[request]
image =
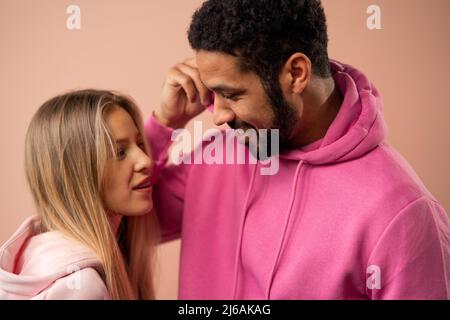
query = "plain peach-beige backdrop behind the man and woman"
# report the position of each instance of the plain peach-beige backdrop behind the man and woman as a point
(129, 45)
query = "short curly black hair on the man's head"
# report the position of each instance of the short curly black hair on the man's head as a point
(263, 34)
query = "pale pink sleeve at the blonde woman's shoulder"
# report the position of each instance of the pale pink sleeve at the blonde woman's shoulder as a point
(85, 284)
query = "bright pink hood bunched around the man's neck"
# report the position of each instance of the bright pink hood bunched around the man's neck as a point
(359, 125)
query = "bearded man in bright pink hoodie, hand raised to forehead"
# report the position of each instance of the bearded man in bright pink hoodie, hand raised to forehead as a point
(345, 216)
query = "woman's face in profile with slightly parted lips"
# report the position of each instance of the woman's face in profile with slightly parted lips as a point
(127, 186)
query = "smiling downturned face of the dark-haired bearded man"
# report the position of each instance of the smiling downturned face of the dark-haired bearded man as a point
(240, 99)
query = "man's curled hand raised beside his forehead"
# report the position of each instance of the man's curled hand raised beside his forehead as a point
(183, 96)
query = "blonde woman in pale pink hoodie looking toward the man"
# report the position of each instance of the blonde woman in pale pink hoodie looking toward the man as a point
(88, 168)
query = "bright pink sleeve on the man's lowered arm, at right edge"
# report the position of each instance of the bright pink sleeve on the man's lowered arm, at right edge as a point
(411, 259)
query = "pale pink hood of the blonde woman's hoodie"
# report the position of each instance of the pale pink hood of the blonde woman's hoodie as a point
(31, 261)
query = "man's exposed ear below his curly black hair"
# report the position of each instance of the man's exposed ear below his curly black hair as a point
(296, 73)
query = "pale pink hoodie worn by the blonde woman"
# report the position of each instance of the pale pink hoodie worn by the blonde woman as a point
(47, 265)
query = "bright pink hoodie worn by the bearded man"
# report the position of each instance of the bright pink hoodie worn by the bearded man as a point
(345, 217)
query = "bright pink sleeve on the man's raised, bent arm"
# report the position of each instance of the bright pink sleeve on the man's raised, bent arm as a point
(168, 192)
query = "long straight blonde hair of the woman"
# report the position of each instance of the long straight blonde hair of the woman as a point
(67, 146)
